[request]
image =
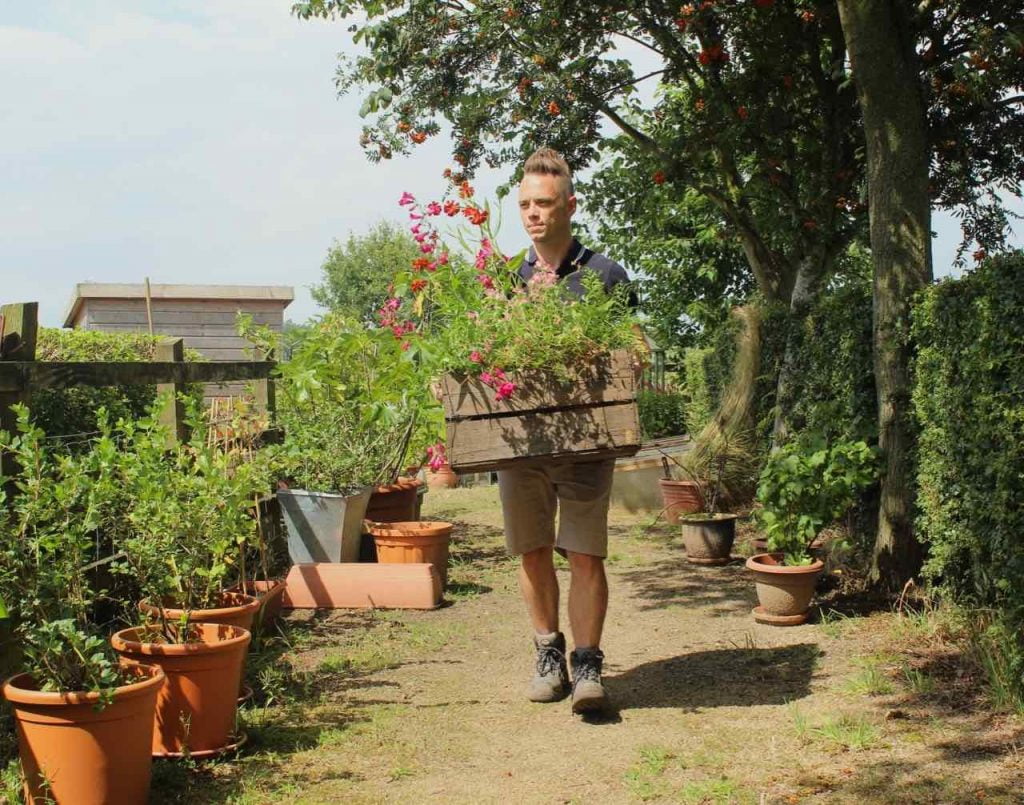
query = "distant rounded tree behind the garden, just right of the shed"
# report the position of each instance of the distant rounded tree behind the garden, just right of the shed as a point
(357, 274)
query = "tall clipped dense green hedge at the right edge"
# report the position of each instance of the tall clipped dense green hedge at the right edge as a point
(969, 400)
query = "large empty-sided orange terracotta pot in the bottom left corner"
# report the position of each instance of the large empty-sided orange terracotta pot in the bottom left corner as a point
(71, 752)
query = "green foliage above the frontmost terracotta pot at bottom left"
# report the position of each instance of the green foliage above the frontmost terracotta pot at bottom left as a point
(50, 514)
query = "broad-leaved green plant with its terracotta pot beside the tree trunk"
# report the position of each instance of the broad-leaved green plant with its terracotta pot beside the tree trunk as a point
(804, 487)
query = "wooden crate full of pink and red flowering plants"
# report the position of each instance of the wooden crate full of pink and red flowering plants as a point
(563, 365)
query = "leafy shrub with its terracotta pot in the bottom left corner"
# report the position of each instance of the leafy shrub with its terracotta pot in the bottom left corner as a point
(84, 722)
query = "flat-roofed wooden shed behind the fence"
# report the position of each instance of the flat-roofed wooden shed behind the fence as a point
(203, 315)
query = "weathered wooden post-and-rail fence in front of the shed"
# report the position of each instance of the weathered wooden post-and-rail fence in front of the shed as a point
(21, 373)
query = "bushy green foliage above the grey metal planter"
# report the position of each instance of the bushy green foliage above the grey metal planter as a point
(356, 408)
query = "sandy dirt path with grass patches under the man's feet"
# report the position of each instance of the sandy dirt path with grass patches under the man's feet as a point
(411, 707)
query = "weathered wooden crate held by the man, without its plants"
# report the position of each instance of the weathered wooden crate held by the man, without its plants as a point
(592, 416)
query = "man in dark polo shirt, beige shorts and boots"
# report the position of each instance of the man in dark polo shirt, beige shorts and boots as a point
(580, 491)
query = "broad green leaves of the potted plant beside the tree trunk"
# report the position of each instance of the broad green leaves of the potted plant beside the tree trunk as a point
(806, 486)
